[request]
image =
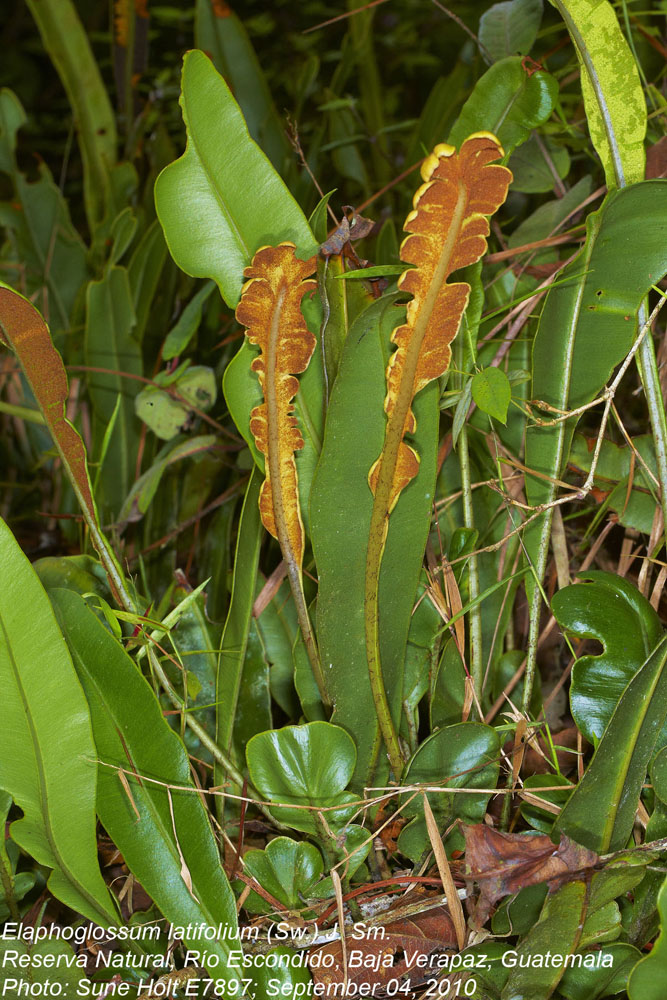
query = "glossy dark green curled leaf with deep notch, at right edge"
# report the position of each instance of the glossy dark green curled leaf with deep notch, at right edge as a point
(611, 610)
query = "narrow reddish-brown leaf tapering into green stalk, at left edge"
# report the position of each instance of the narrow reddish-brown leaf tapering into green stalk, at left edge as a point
(24, 331)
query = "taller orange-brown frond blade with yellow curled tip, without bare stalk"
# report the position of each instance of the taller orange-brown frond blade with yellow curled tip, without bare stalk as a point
(448, 229)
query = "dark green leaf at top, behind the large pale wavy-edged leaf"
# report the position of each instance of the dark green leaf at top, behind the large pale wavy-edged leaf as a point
(221, 34)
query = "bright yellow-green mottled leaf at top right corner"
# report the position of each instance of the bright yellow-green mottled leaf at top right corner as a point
(613, 94)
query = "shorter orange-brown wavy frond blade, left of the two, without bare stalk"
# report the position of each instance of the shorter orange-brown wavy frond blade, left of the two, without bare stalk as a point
(270, 309)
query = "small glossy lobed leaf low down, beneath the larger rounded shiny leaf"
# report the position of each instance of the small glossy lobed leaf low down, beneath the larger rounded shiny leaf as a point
(287, 869)
